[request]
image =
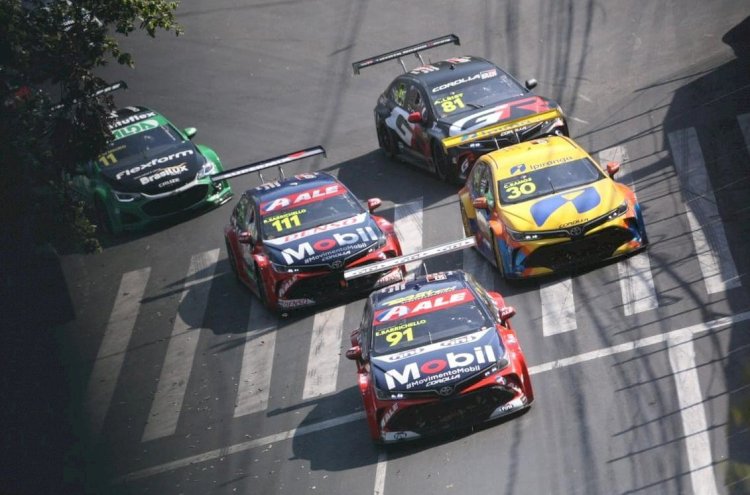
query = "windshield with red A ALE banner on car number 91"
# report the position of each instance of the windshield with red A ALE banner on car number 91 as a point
(426, 317)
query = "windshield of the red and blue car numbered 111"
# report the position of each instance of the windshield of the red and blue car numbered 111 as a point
(300, 215)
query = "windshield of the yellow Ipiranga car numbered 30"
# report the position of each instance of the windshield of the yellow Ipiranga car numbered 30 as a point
(547, 180)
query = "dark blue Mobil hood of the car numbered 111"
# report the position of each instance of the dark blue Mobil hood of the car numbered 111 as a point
(331, 245)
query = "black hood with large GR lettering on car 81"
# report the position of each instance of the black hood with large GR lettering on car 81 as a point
(496, 113)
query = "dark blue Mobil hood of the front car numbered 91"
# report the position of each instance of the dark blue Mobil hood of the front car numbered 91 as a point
(439, 366)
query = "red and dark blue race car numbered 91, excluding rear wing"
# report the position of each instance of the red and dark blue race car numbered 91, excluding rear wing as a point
(437, 353)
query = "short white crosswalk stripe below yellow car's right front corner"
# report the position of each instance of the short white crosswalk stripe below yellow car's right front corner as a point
(637, 284)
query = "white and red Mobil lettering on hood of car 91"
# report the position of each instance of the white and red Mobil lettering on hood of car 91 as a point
(451, 363)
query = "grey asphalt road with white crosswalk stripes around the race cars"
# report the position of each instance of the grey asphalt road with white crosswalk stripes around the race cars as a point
(640, 367)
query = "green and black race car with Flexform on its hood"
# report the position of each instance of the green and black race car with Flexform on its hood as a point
(151, 170)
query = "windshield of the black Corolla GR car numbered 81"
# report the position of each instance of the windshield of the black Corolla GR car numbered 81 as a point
(489, 87)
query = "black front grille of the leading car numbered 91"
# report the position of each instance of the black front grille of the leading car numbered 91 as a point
(445, 414)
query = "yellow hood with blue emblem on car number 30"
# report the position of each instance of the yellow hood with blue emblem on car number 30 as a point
(564, 209)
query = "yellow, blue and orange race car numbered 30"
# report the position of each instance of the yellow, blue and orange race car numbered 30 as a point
(546, 205)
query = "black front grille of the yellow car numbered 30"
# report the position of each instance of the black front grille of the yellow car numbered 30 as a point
(586, 250)
